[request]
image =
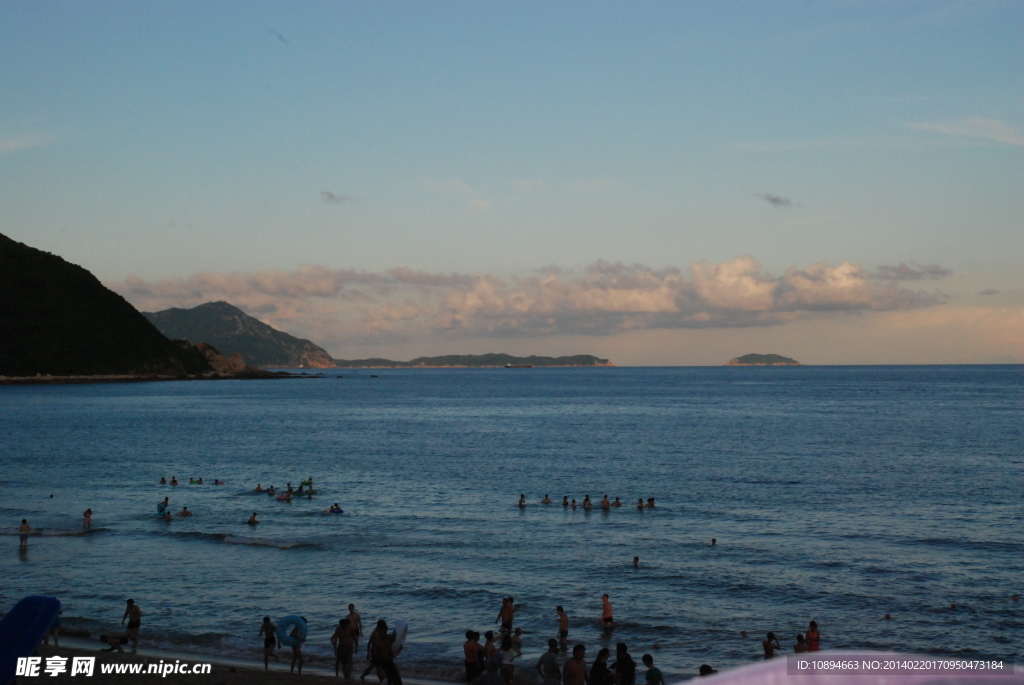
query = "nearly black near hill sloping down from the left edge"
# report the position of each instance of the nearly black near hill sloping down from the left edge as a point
(57, 319)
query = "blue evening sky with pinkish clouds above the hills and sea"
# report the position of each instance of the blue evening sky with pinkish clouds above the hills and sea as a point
(652, 183)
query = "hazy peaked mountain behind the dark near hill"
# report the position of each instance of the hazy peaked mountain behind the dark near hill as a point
(231, 330)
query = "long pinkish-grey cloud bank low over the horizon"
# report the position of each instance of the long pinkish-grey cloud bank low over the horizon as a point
(338, 308)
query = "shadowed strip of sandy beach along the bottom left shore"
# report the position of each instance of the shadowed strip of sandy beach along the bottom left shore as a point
(223, 671)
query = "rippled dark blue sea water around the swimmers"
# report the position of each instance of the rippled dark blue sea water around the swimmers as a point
(836, 494)
